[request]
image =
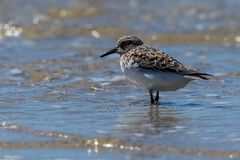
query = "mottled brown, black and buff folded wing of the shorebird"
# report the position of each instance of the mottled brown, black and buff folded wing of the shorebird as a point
(149, 58)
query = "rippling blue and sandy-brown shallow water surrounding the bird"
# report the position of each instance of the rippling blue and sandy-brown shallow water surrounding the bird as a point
(59, 100)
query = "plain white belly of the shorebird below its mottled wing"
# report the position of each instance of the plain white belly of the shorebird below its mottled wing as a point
(157, 81)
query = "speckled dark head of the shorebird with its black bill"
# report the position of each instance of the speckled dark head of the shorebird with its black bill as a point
(124, 44)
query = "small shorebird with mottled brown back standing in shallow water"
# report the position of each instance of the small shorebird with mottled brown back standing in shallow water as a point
(151, 68)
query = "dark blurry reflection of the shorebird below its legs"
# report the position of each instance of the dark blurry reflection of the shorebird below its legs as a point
(152, 122)
